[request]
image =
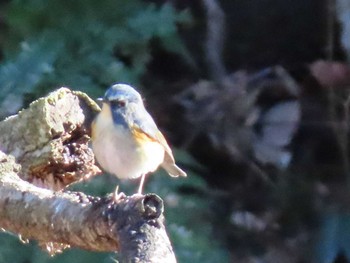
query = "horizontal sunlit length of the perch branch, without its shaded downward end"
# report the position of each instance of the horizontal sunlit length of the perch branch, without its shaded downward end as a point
(47, 216)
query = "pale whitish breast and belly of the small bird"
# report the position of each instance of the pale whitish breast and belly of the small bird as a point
(123, 153)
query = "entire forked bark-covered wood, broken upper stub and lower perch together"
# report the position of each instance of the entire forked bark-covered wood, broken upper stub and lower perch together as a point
(46, 146)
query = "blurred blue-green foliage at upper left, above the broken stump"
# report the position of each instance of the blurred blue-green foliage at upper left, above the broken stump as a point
(84, 45)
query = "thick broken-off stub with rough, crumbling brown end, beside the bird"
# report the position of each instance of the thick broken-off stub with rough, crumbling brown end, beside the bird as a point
(50, 139)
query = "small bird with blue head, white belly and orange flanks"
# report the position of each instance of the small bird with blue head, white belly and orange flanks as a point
(125, 139)
